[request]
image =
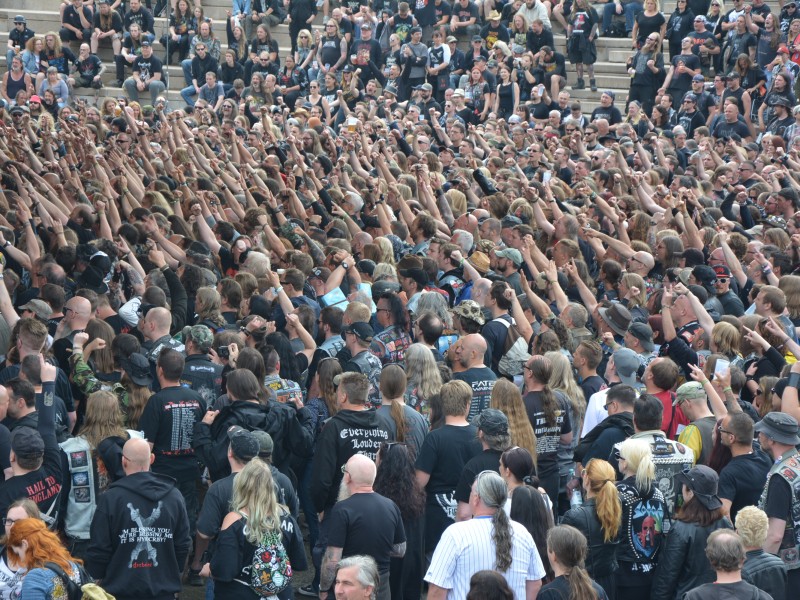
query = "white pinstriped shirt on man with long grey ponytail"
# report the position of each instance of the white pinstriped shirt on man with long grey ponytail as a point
(467, 547)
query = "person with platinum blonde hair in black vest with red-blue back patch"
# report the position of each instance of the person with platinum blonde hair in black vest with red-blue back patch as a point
(644, 511)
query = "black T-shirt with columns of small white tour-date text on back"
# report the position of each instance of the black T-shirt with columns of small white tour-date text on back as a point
(168, 423)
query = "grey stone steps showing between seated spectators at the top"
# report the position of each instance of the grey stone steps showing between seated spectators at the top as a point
(610, 69)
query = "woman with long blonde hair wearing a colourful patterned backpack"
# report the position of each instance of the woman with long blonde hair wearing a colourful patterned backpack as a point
(256, 518)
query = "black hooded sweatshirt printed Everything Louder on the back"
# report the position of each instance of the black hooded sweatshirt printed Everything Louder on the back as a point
(346, 433)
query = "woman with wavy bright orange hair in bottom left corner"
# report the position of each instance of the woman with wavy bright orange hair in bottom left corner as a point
(31, 547)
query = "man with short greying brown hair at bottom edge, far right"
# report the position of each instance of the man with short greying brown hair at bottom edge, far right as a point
(725, 552)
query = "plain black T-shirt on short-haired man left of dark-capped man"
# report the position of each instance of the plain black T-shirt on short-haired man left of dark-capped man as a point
(444, 453)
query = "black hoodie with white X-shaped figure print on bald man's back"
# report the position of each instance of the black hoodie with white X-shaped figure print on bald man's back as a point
(140, 538)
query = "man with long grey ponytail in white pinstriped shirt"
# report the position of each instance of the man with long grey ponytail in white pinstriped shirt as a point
(490, 540)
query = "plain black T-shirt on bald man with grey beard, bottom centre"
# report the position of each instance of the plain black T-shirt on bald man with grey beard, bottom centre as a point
(366, 524)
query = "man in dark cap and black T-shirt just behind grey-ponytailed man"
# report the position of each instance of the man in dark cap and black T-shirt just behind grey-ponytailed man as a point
(494, 436)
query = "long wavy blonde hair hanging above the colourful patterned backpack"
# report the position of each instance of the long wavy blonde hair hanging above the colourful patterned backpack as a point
(254, 495)
